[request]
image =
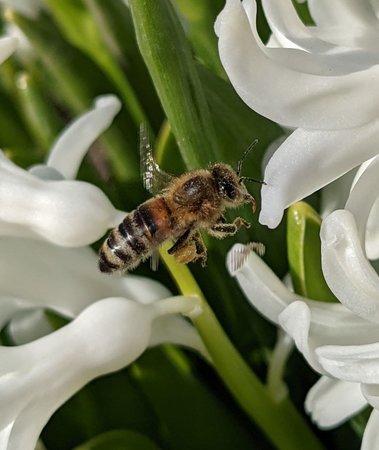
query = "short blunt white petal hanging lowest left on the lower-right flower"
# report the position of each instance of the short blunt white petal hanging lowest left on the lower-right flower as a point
(331, 402)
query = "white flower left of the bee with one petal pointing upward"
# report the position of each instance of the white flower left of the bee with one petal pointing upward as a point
(39, 203)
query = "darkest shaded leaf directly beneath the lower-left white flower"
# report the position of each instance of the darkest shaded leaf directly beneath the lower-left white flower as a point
(107, 403)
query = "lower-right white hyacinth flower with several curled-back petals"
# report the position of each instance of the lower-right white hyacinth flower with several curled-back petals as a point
(339, 340)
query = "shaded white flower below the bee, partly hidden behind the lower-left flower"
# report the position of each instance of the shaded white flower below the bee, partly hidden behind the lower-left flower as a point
(67, 280)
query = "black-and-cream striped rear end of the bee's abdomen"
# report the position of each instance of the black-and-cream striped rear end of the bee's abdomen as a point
(126, 245)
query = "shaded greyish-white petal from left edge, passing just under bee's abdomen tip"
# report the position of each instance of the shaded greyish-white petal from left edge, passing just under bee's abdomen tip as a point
(66, 280)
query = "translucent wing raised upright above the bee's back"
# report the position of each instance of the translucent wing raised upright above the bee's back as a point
(154, 178)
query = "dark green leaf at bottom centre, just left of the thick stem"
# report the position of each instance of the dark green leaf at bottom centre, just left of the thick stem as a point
(193, 415)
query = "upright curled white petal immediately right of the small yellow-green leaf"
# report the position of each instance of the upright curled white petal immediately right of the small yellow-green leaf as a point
(348, 273)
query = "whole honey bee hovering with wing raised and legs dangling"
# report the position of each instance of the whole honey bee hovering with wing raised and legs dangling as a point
(184, 205)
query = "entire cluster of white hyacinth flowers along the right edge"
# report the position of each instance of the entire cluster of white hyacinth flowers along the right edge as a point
(321, 81)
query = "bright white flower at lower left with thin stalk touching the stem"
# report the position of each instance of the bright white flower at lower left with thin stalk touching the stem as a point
(36, 378)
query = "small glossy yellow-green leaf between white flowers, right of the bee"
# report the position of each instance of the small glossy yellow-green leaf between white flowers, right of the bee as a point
(304, 253)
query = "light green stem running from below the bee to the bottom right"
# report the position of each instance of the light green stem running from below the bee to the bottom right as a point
(280, 421)
